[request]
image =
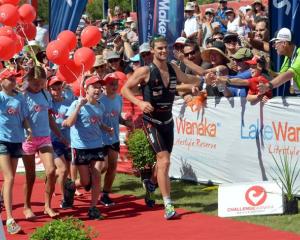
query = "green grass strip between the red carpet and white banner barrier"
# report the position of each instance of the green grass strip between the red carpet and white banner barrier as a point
(203, 199)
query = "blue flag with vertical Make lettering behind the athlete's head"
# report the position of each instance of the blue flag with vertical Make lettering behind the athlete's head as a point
(164, 17)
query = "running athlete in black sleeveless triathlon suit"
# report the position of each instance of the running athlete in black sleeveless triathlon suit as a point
(158, 82)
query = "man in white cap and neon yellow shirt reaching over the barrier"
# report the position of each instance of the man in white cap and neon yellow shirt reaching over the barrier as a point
(289, 76)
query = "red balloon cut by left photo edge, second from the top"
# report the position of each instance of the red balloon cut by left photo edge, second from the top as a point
(9, 15)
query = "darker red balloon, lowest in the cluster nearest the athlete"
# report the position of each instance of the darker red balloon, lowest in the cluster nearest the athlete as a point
(69, 72)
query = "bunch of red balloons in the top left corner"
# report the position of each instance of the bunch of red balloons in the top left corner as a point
(17, 27)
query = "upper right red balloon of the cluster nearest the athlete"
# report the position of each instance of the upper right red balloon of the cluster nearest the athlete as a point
(90, 36)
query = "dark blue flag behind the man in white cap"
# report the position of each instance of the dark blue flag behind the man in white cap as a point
(283, 14)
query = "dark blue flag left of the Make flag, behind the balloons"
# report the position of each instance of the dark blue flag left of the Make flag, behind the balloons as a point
(64, 15)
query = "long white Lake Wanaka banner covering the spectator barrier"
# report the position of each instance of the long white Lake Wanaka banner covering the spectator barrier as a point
(231, 140)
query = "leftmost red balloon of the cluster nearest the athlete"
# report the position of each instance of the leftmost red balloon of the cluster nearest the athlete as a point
(57, 52)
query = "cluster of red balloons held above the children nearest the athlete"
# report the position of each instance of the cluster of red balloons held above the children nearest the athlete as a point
(58, 52)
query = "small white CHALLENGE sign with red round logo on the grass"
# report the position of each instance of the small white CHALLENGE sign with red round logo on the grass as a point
(243, 199)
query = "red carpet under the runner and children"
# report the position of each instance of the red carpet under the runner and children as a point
(131, 219)
